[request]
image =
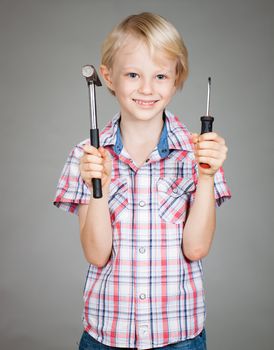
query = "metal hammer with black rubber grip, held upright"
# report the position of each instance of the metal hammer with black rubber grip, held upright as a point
(89, 72)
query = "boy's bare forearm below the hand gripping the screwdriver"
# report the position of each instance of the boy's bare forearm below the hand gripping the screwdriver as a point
(200, 225)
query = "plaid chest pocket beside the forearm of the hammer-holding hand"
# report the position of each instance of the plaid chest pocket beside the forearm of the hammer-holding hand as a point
(118, 198)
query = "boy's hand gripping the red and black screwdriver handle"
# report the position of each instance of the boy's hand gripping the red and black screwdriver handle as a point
(209, 148)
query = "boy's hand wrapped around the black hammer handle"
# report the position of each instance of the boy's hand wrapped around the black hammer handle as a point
(95, 163)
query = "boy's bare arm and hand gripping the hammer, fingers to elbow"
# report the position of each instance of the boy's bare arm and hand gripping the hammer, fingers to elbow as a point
(94, 218)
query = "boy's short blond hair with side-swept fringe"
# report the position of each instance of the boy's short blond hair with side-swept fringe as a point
(156, 32)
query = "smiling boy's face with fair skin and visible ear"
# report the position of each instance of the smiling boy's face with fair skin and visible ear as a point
(142, 85)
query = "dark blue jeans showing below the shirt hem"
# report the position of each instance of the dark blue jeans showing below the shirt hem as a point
(198, 343)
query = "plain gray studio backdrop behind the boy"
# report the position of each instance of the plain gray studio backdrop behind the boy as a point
(44, 113)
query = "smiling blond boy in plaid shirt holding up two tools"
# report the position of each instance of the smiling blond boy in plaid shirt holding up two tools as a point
(146, 237)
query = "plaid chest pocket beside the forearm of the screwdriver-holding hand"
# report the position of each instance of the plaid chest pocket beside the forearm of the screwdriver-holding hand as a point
(174, 195)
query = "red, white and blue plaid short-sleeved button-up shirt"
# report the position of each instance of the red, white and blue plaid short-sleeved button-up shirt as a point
(149, 294)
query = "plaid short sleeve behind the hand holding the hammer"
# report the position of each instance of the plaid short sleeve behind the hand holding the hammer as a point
(71, 189)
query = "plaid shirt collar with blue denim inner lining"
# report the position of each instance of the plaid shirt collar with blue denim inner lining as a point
(174, 135)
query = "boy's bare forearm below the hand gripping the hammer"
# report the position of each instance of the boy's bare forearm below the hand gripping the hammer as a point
(96, 231)
